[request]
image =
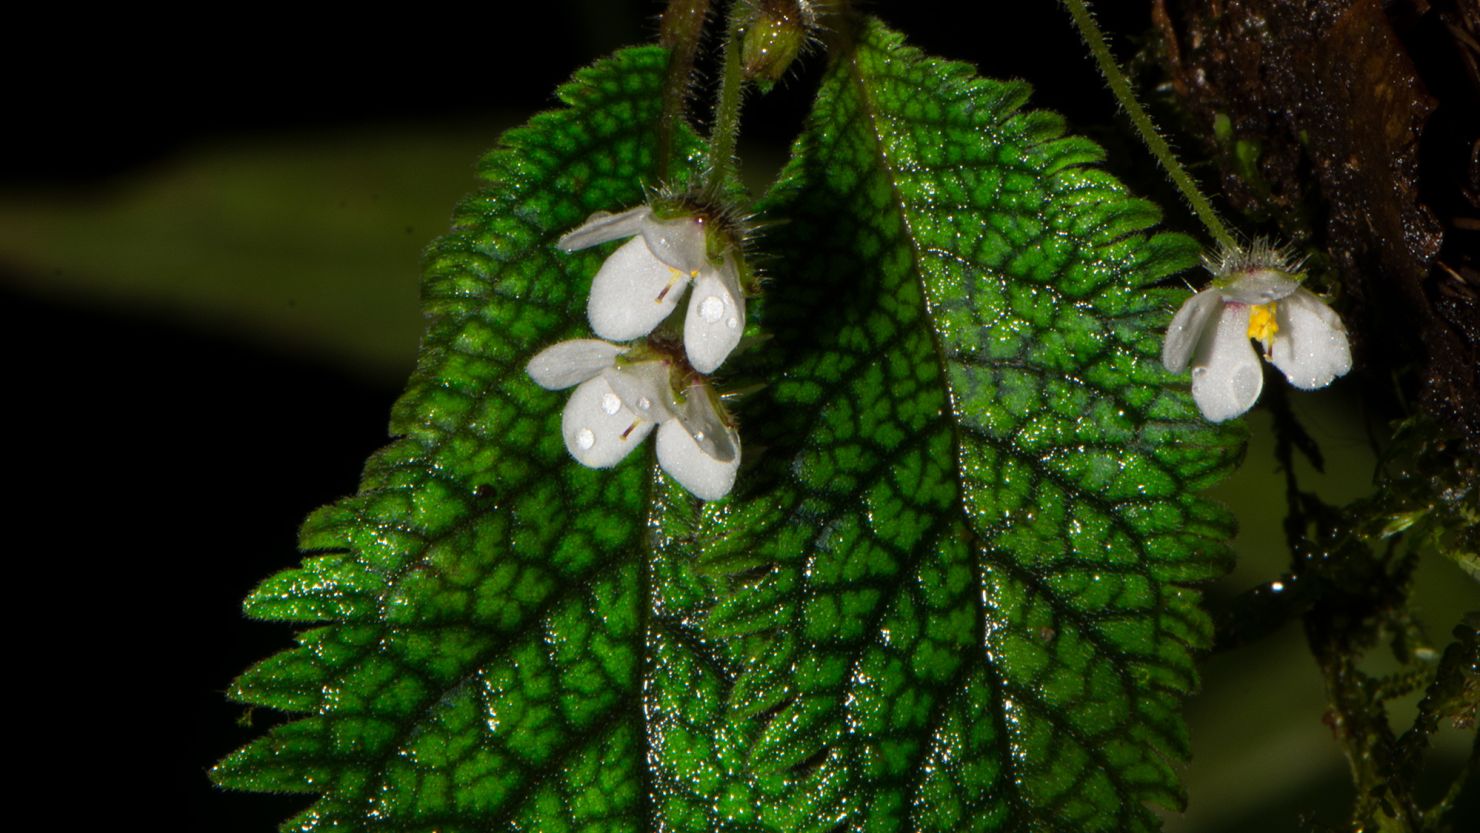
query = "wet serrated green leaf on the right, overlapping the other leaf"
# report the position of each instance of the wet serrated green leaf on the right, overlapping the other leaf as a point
(961, 572)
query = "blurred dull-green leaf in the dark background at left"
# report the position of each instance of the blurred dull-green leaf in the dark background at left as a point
(310, 242)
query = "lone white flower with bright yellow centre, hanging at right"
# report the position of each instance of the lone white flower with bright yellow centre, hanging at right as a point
(1300, 335)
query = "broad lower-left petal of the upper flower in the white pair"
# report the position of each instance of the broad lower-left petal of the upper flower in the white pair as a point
(633, 294)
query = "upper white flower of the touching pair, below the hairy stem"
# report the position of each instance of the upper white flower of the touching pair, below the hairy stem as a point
(640, 285)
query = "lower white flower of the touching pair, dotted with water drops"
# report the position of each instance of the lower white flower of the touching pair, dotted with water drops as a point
(616, 405)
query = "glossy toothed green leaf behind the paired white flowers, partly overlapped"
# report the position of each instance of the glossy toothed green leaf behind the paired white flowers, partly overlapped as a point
(508, 641)
